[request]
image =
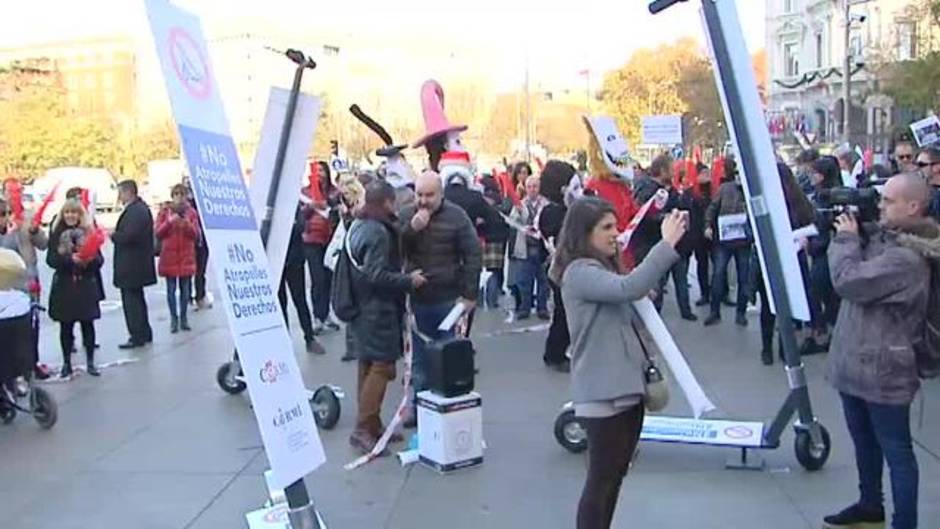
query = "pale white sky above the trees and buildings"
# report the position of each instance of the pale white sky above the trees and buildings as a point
(559, 37)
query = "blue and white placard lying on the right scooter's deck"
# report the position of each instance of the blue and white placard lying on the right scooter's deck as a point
(701, 431)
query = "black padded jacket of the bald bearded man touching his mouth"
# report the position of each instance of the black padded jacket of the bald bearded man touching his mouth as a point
(447, 251)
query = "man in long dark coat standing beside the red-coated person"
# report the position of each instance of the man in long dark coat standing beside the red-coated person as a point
(133, 263)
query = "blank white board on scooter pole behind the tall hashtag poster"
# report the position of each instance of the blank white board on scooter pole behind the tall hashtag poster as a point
(295, 161)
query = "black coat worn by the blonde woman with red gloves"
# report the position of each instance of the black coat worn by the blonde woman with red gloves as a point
(75, 290)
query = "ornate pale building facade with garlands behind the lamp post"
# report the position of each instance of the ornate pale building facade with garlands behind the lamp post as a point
(806, 47)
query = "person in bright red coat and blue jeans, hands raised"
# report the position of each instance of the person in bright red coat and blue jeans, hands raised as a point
(177, 229)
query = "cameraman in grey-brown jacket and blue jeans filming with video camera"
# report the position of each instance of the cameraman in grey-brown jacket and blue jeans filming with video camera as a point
(884, 288)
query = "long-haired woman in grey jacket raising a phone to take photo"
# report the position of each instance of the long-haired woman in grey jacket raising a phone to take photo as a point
(607, 378)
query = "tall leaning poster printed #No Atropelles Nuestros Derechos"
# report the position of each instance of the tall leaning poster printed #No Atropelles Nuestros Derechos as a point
(285, 420)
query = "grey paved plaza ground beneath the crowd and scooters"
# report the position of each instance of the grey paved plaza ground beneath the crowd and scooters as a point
(155, 444)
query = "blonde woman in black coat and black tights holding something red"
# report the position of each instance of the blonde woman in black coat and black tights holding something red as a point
(76, 290)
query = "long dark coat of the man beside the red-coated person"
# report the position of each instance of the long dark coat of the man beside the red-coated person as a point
(133, 247)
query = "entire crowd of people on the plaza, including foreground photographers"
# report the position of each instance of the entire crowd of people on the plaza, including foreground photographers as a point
(548, 243)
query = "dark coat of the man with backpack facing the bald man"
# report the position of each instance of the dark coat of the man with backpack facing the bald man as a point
(376, 333)
